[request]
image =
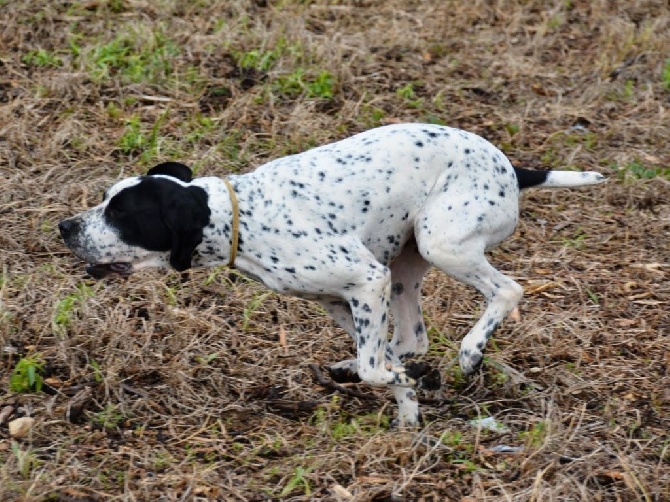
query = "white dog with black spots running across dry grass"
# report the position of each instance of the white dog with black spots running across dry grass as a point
(353, 225)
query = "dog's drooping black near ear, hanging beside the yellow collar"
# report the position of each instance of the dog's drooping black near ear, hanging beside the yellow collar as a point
(186, 214)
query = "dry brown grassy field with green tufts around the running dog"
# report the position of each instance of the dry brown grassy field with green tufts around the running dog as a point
(205, 385)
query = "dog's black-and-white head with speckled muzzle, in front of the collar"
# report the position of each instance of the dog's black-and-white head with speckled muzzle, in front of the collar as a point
(155, 220)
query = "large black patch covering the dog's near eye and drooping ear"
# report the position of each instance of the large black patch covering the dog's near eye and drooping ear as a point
(160, 215)
